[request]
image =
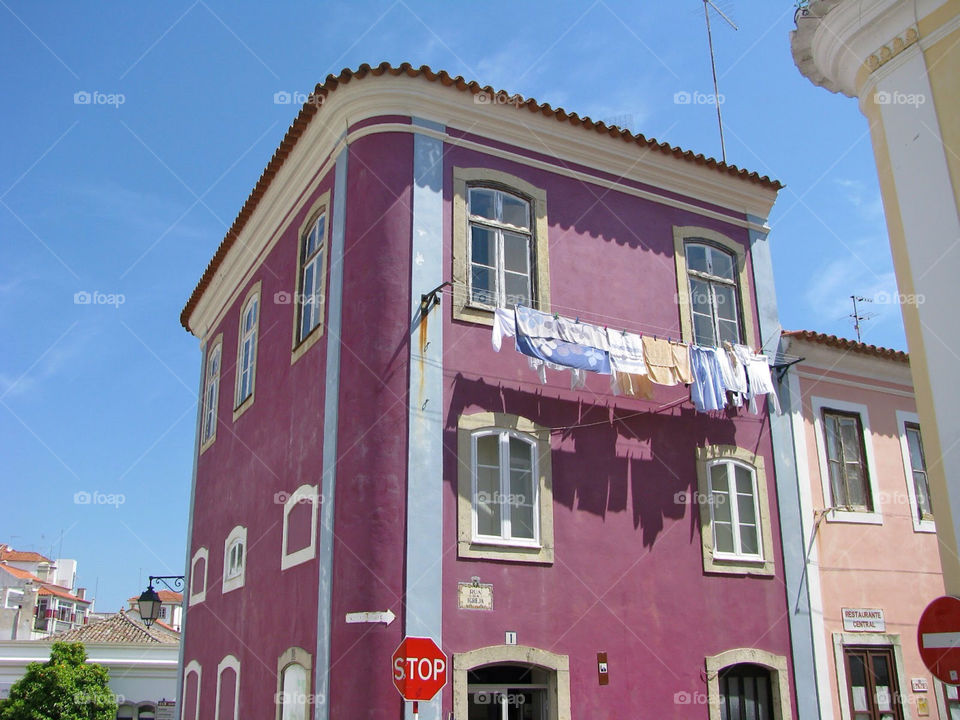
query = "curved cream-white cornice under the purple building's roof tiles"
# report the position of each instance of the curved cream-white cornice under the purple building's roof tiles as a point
(372, 96)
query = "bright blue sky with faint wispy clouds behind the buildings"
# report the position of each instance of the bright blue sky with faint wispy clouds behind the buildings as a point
(127, 197)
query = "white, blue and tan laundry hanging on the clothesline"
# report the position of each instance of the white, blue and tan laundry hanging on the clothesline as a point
(717, 377)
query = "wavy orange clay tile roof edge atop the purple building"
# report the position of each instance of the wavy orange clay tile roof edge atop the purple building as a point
(323, 90)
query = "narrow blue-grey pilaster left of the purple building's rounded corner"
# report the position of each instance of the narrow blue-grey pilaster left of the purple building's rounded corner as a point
(331, 418)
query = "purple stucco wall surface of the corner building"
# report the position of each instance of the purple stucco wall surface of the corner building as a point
(628, 576)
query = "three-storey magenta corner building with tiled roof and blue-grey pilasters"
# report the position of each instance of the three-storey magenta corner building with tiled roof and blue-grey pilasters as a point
(362, 448)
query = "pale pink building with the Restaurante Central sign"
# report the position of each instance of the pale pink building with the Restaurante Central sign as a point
(873, 564)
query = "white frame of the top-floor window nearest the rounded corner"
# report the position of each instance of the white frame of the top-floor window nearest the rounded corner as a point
(498, 226)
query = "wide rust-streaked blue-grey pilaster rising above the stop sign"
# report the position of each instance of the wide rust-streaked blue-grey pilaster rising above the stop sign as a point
(425, 450)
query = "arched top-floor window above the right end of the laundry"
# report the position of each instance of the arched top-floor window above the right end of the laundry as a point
(712, 274)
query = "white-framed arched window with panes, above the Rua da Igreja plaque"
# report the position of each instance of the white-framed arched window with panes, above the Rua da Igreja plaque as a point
(505, 488)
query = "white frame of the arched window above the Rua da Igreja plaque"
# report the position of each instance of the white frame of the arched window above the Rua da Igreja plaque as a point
(504, 435)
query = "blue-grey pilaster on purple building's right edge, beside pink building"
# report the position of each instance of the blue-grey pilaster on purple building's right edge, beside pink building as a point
(788, 488)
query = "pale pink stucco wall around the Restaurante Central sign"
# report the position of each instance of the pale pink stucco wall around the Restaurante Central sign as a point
(890, 566)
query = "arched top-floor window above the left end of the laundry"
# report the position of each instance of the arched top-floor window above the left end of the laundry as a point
(501, 241)
